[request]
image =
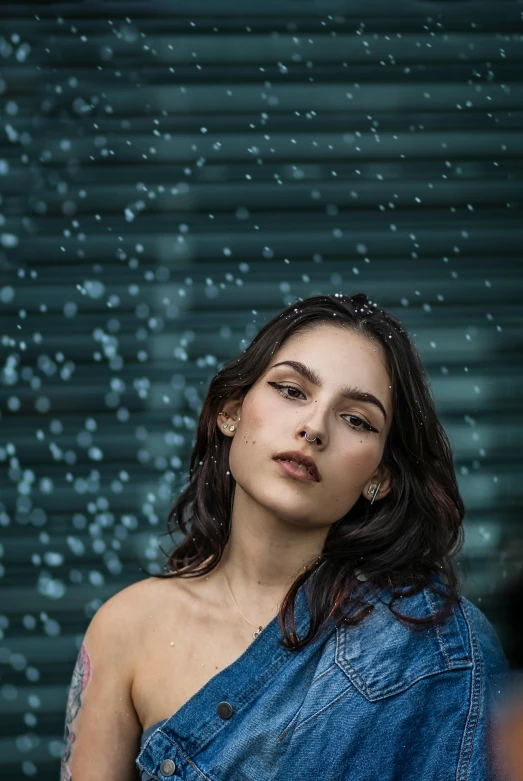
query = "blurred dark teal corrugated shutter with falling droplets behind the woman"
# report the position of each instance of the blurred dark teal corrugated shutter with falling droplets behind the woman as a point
(171, 176)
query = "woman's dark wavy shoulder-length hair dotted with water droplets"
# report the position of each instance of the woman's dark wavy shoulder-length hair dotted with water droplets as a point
(403, 543)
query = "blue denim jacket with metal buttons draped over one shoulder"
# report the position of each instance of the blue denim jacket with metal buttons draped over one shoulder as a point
(374, 702)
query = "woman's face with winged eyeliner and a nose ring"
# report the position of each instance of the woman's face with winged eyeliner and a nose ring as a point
(351, 433)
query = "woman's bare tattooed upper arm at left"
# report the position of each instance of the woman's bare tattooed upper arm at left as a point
(102, 730)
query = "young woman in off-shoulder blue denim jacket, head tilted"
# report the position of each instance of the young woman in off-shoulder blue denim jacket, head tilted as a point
(309, 624)
